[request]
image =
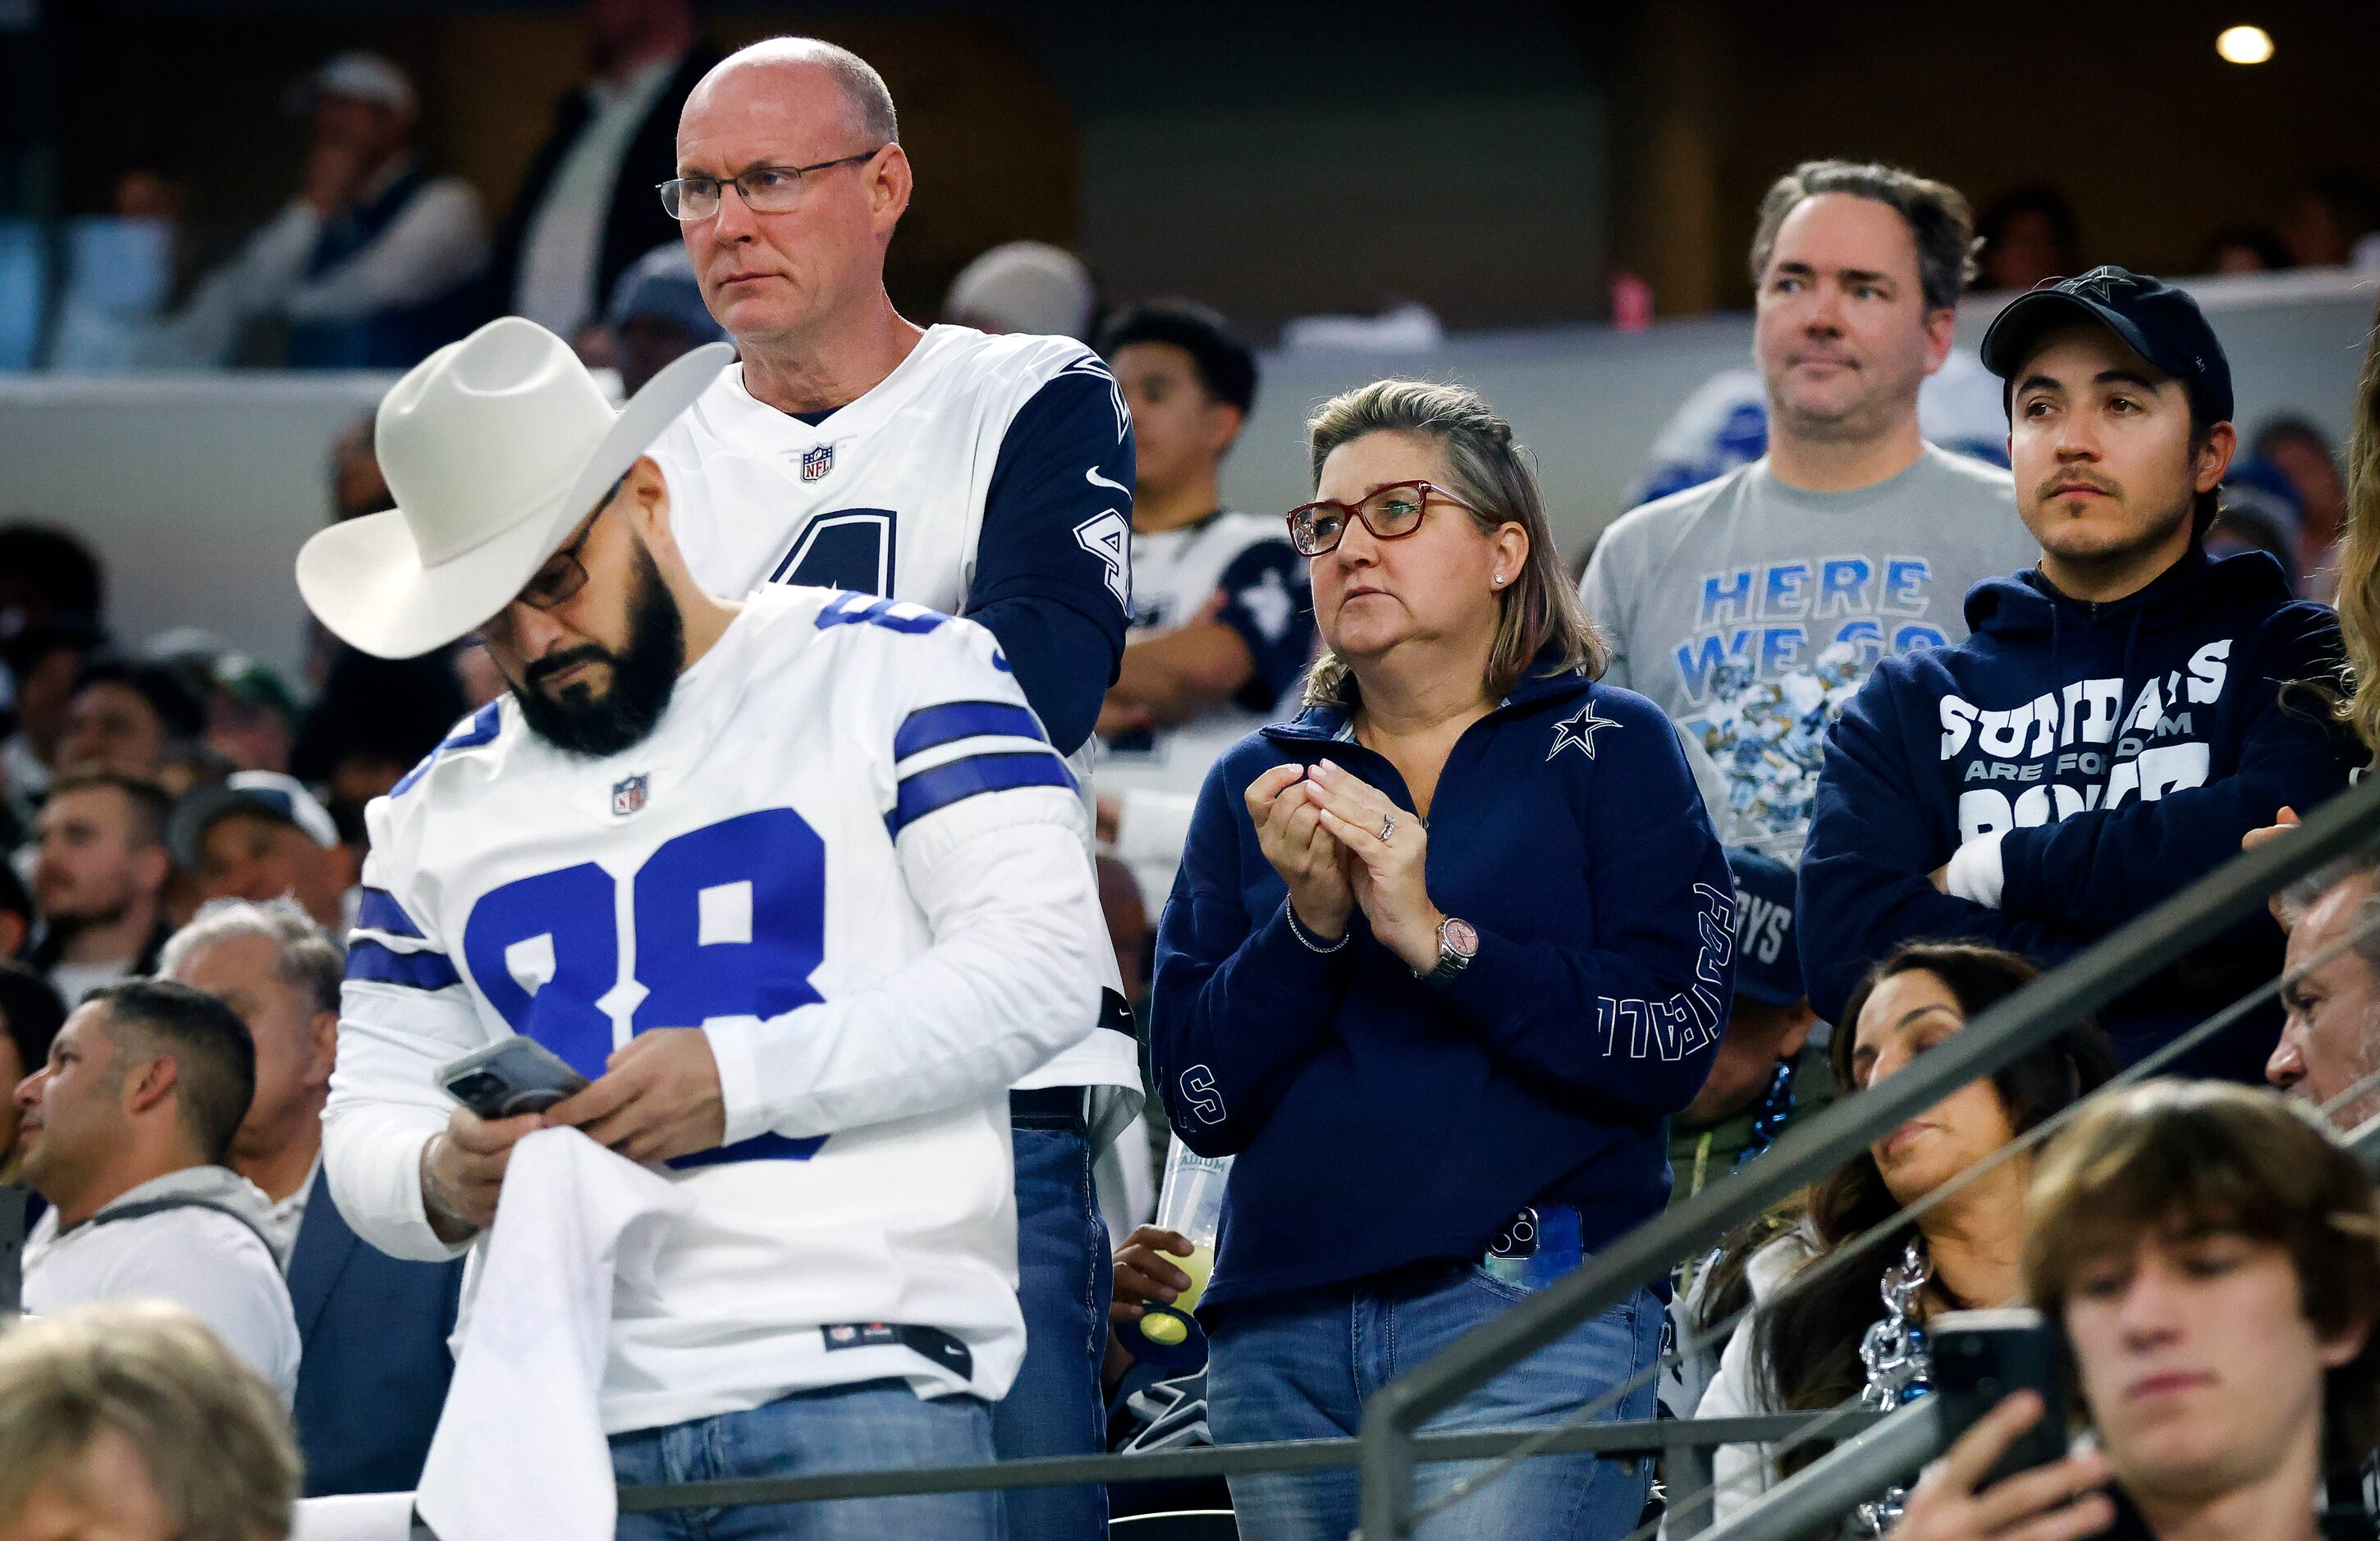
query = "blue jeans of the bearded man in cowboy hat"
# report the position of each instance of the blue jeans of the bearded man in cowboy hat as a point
(860, 1428)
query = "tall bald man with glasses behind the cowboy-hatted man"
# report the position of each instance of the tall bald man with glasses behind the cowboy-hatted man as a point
(982, 477)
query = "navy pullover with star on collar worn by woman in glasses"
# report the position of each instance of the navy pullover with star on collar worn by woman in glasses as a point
(1386, 1121)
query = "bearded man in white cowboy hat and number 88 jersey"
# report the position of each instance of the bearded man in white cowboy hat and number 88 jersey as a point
(796, 883)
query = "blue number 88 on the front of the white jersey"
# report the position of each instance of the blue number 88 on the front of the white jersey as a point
(720, 922)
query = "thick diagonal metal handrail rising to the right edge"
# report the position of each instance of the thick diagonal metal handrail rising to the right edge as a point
(1808, 1152)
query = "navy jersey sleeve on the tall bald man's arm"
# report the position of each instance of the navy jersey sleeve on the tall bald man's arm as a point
(1056, 558)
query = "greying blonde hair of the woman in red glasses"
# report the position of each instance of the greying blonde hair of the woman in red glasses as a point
(1489, 472)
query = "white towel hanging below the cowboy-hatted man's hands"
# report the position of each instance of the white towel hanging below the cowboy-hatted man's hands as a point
(520, 1449)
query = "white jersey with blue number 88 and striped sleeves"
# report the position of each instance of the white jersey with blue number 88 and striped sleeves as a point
(848, 855)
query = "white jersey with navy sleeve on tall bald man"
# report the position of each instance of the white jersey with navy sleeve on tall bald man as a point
(889, 496)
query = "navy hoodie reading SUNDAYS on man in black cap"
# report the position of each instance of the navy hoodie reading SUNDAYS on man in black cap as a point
(2117, 753)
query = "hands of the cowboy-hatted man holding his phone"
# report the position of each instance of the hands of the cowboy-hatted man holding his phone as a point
(656, 1100)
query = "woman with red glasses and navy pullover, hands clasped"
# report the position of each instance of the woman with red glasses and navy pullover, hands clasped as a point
(1441, 960)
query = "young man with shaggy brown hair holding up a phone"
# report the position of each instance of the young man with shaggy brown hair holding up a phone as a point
(2215, 1264)
